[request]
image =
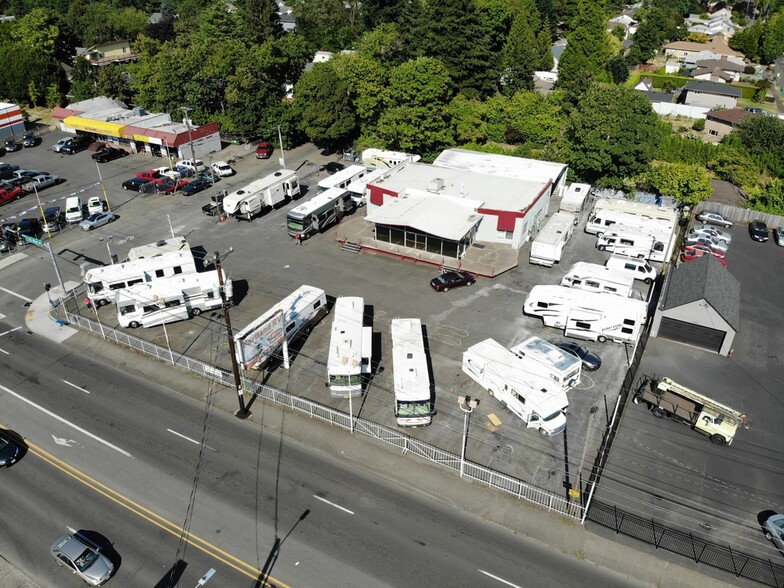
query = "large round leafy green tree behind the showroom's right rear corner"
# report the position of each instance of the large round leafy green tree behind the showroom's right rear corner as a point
(612, 133)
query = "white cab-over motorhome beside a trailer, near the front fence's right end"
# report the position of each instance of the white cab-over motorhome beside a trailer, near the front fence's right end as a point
(497, 370)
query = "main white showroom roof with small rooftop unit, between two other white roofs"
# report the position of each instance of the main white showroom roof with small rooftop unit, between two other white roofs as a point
(491, 191)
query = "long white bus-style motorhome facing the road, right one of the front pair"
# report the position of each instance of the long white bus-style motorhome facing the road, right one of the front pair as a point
(413, 389)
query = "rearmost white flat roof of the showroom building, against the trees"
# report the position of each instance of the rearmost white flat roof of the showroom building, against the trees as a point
(508, 166)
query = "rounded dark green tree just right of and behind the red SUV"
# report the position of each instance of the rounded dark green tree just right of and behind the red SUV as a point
(322, 100)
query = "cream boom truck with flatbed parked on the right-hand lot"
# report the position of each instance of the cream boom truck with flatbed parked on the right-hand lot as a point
(679, 403)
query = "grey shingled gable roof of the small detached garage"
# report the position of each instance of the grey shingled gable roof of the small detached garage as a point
(705, 279)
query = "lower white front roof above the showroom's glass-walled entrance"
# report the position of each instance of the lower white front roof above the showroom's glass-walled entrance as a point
(444, 216)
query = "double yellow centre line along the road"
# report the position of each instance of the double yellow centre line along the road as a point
(148, 515)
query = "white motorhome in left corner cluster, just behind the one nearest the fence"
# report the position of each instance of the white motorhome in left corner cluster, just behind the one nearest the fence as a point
(104, 282)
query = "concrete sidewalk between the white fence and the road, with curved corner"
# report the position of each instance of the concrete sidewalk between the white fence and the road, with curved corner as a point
(640, 563)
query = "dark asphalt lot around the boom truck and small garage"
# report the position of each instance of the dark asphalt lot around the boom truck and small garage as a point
(662, 469)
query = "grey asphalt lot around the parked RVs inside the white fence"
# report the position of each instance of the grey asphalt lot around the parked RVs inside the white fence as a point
(266, 265)
